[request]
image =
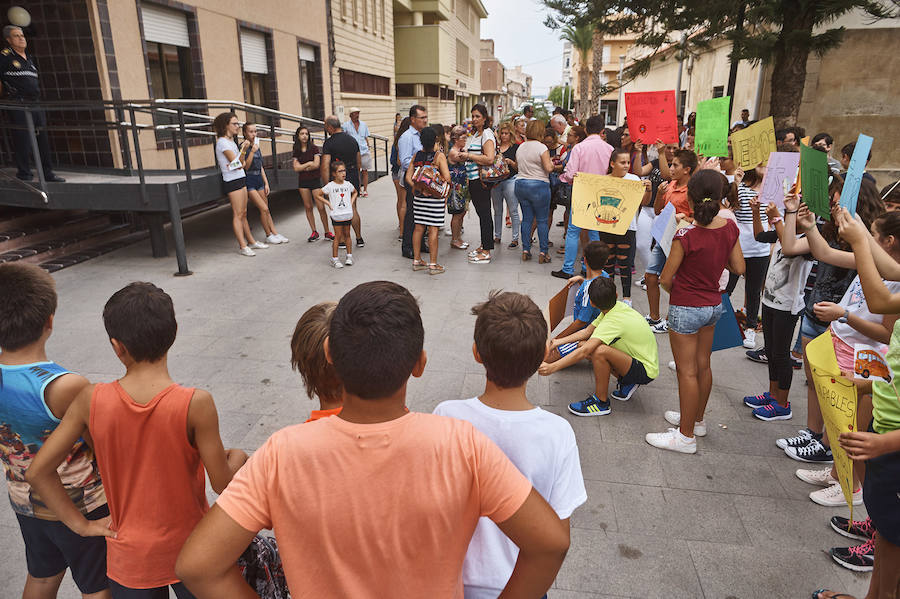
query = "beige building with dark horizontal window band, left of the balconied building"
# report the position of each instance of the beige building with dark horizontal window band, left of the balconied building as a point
(363, 68)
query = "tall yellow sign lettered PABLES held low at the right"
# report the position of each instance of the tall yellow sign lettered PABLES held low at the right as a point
(837, 399)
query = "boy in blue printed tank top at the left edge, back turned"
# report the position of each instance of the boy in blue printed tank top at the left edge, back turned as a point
(35, 394)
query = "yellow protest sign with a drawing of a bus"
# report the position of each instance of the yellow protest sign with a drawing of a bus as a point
(605, 203)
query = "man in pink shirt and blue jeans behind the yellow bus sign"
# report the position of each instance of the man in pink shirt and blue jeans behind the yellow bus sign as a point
(589, 156)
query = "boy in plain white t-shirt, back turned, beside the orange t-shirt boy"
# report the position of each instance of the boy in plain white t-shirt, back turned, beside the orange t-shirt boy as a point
(510, 338)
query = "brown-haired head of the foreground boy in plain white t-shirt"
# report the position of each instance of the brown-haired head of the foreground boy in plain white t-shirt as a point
(510, 337)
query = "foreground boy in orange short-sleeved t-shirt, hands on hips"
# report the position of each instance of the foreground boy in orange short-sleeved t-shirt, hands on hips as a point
(376, 501)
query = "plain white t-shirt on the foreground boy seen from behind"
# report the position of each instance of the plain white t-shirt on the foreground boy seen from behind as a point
(542, 446)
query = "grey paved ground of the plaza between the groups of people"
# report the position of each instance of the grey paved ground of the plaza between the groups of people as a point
(730, 522)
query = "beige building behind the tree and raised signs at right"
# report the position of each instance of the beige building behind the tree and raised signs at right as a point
(843, 95)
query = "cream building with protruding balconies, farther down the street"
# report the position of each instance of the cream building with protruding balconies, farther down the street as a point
(437, 56)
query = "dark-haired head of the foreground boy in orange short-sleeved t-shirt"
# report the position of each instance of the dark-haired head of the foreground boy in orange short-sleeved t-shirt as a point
(375, 339)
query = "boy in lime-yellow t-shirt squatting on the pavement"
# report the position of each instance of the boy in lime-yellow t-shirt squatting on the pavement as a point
(619, 342)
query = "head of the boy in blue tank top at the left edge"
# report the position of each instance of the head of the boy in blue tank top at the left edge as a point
(27, 302)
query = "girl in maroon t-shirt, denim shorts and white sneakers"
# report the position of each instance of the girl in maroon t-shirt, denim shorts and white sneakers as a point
(691, 276)
